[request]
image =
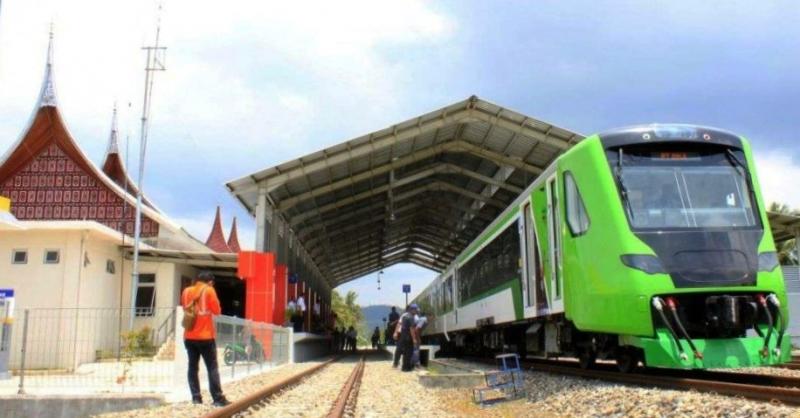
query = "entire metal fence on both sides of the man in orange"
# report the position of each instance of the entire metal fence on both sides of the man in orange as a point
(79, 350)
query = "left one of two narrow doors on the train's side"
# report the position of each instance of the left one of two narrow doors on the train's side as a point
(534, 297)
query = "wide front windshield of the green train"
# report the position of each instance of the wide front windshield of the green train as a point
(665, 188)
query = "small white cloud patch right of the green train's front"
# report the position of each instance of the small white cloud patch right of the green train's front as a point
(777, 174)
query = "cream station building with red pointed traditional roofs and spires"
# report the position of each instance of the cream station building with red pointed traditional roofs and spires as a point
(66, 228)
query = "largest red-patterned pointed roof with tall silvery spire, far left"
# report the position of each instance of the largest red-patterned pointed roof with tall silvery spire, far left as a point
(46, 162)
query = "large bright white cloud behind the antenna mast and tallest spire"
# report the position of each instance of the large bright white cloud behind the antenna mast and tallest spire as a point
(255, 69)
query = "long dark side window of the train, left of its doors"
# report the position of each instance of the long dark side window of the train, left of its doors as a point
(493, 266)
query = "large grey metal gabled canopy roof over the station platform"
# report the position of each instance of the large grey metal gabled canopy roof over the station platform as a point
(418, 191)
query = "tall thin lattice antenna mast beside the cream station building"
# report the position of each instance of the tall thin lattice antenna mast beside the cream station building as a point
(156, 58)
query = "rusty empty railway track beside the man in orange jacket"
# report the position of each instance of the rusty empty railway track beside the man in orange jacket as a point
(257, 403)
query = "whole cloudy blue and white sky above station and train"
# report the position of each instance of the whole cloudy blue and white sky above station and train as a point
(251, 84)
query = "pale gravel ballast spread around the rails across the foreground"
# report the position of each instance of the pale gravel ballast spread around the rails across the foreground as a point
(388, 392)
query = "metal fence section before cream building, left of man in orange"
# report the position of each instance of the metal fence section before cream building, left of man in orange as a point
(77, 348)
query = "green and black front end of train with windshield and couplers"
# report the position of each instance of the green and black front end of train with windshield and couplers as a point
(691, 195)
